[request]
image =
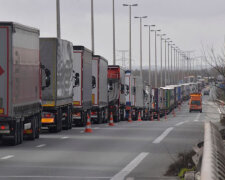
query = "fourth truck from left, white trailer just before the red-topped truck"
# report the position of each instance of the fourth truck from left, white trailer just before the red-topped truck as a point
(99, 111)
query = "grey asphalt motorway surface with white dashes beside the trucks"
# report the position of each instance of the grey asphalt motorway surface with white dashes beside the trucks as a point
(138, 150)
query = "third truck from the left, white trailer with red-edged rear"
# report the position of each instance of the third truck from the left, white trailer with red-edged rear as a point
(82, 86)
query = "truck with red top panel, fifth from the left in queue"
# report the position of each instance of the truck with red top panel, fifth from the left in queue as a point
(116, 92)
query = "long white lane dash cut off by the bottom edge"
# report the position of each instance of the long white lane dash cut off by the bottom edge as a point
(131, 166)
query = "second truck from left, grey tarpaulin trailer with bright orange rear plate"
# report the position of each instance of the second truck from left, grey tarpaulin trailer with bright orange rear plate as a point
(57, 59)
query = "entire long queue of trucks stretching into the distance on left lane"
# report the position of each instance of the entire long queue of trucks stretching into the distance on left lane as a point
(50, 83)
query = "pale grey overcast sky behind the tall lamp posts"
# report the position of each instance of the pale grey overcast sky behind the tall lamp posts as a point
(189, 23)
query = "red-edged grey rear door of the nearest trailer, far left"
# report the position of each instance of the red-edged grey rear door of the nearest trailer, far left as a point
(4, 74)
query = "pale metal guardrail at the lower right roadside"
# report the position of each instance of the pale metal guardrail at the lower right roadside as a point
(213, 162)
